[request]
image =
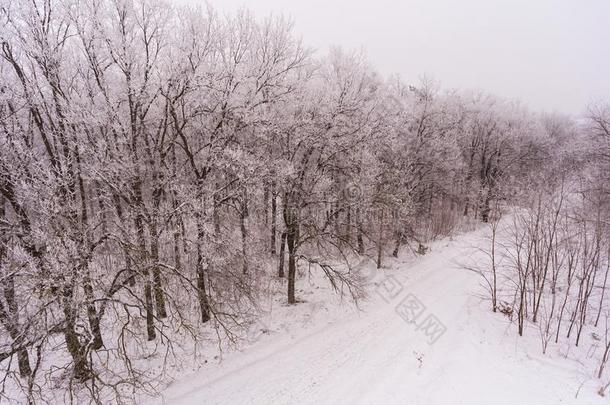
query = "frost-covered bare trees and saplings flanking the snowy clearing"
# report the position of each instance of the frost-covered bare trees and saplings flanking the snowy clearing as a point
(162, 166)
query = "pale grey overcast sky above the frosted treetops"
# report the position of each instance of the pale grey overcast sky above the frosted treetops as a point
(554, 55)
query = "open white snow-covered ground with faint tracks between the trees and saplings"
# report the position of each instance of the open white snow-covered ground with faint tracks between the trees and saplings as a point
(329, 353)
